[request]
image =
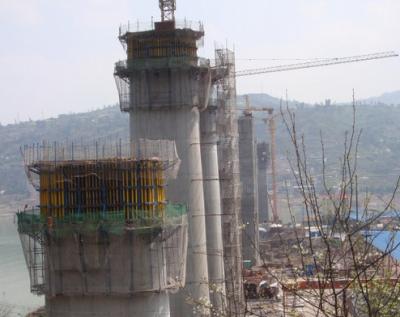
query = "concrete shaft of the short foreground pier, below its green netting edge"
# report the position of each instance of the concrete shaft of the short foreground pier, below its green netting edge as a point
(123, 275)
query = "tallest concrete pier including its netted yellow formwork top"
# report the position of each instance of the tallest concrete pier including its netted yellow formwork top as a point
(167, 87)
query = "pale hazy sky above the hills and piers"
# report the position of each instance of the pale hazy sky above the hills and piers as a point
(57, 56)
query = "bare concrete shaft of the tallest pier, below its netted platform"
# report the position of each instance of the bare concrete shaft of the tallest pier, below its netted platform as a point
(182, 126)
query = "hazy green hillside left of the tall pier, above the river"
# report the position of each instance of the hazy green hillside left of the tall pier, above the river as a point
(88, 126)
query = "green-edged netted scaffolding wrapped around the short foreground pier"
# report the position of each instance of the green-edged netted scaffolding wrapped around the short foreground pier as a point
(83, 246)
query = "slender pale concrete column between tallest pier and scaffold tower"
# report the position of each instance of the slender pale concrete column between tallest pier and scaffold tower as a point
(213, 210)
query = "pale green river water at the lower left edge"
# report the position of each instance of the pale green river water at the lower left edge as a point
(14, 278)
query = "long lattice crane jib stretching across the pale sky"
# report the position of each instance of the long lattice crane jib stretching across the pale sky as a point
(316, 63)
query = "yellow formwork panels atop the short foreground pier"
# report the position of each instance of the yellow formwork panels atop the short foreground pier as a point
(135, 187)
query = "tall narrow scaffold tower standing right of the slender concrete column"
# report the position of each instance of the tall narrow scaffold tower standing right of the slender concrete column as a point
(228, 156)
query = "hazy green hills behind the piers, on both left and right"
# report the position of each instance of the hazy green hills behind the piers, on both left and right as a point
(378, 155)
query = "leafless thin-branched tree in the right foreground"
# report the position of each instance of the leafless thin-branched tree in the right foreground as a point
(339, 272)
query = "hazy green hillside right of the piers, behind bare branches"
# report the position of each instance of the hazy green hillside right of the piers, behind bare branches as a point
(379, 149)
